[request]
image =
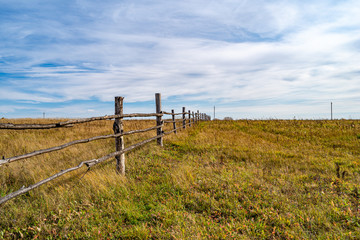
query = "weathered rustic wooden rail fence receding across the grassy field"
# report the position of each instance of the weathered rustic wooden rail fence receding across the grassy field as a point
(188, 119)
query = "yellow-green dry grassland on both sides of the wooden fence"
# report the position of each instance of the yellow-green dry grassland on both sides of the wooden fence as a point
(276, 179)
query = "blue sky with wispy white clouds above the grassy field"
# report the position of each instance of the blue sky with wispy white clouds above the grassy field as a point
(255, 59)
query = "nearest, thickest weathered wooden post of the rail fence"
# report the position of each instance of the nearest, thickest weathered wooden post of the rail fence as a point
(119, 141)
